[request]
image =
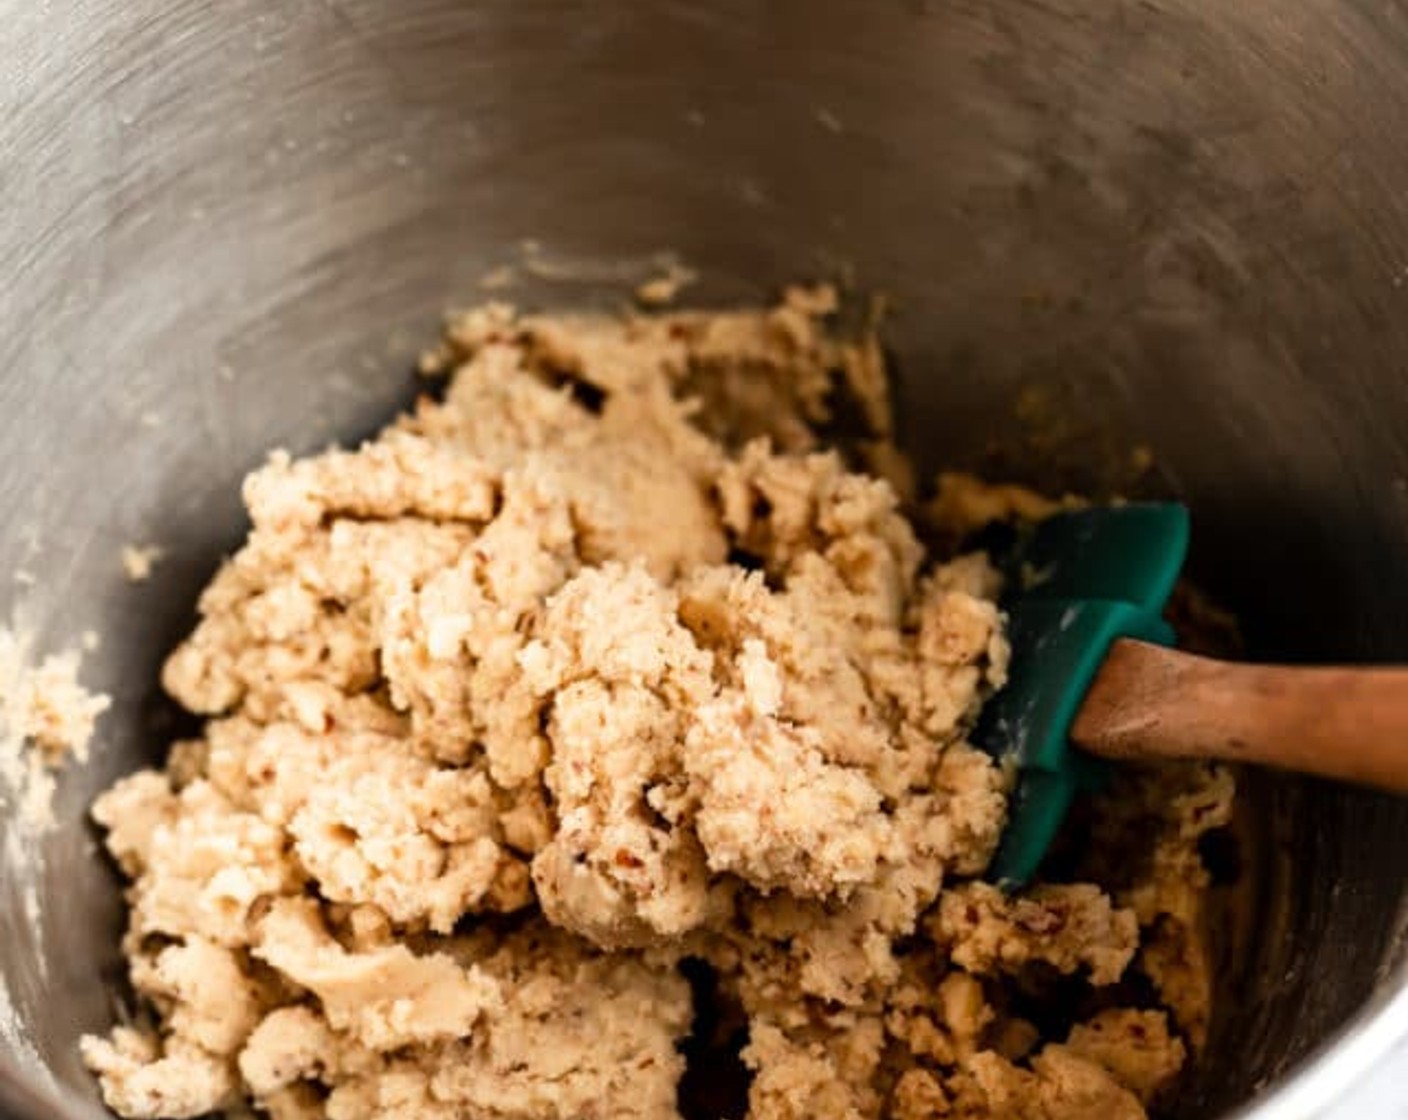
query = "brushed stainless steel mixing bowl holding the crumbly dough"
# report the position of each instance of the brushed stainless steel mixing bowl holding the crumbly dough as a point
(225, 228)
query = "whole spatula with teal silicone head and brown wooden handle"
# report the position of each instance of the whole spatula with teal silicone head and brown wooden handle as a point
(1093, 678)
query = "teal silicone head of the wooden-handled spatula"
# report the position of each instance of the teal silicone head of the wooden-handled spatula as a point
(1076, 584)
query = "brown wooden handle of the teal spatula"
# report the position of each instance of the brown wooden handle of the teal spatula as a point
(1347, 723)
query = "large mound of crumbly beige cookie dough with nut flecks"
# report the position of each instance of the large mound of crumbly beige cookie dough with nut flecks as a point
(601, 666)
